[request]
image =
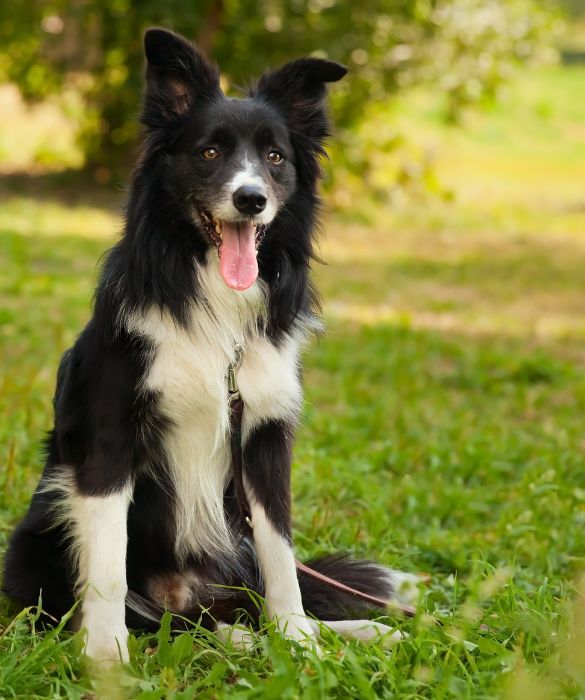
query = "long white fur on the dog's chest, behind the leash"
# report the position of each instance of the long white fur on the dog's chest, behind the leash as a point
(189, 373)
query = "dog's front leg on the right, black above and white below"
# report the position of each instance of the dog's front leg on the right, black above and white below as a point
(267, 459)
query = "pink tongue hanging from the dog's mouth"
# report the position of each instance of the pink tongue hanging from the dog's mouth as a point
(238, 263)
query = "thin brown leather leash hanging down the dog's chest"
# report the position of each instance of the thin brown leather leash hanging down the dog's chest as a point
(236, 413)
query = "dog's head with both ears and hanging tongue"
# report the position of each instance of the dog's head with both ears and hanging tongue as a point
(235, 163)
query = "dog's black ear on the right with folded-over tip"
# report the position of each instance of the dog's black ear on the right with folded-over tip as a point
(299, 89)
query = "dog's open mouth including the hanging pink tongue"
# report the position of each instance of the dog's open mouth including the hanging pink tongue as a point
(237, 244)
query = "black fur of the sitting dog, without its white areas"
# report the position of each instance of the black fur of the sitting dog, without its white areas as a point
(106, 430)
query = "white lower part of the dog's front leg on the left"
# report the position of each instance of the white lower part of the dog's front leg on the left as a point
(100, 540)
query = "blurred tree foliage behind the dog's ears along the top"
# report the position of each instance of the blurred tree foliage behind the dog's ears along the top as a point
(465, 47)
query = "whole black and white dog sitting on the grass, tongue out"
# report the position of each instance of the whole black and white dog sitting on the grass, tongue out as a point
(136, 509)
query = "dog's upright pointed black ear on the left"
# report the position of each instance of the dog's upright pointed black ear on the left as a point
(176, 76)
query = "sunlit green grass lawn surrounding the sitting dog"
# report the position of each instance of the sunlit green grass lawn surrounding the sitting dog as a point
(443, 427)
